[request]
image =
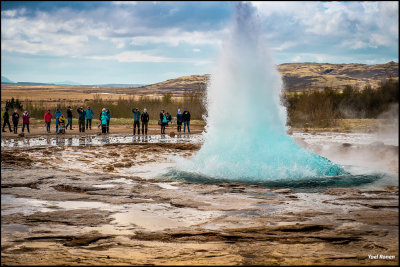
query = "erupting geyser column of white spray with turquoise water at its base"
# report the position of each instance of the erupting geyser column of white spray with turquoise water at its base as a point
(245, 137)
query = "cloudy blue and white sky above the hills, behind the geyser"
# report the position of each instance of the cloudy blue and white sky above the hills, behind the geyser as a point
(147, 42)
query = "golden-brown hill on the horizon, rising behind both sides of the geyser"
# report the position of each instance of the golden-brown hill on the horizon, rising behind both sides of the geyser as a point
(297, 77)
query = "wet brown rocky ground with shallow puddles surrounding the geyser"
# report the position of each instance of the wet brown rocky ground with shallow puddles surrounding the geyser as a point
(98, 202)
